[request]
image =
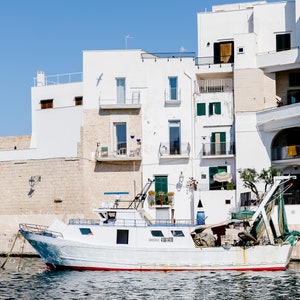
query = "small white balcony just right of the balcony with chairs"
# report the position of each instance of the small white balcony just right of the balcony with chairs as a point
(174, 150)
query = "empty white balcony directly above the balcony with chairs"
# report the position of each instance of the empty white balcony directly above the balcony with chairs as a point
(134, 102)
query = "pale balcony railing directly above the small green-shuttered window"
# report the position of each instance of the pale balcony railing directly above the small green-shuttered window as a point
(214, 86)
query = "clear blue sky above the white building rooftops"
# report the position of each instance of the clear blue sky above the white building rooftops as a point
(51, 35)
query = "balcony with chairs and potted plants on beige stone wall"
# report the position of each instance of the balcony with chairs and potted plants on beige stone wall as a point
(123, 154)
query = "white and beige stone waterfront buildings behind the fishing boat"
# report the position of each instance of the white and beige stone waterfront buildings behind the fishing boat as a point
(175, 118)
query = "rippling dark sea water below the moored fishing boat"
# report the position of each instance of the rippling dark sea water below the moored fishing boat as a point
(27, 278)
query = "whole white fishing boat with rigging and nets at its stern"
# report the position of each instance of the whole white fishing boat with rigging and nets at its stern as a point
(127, 239)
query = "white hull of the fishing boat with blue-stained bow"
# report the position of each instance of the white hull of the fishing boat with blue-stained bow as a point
(58, 253)
